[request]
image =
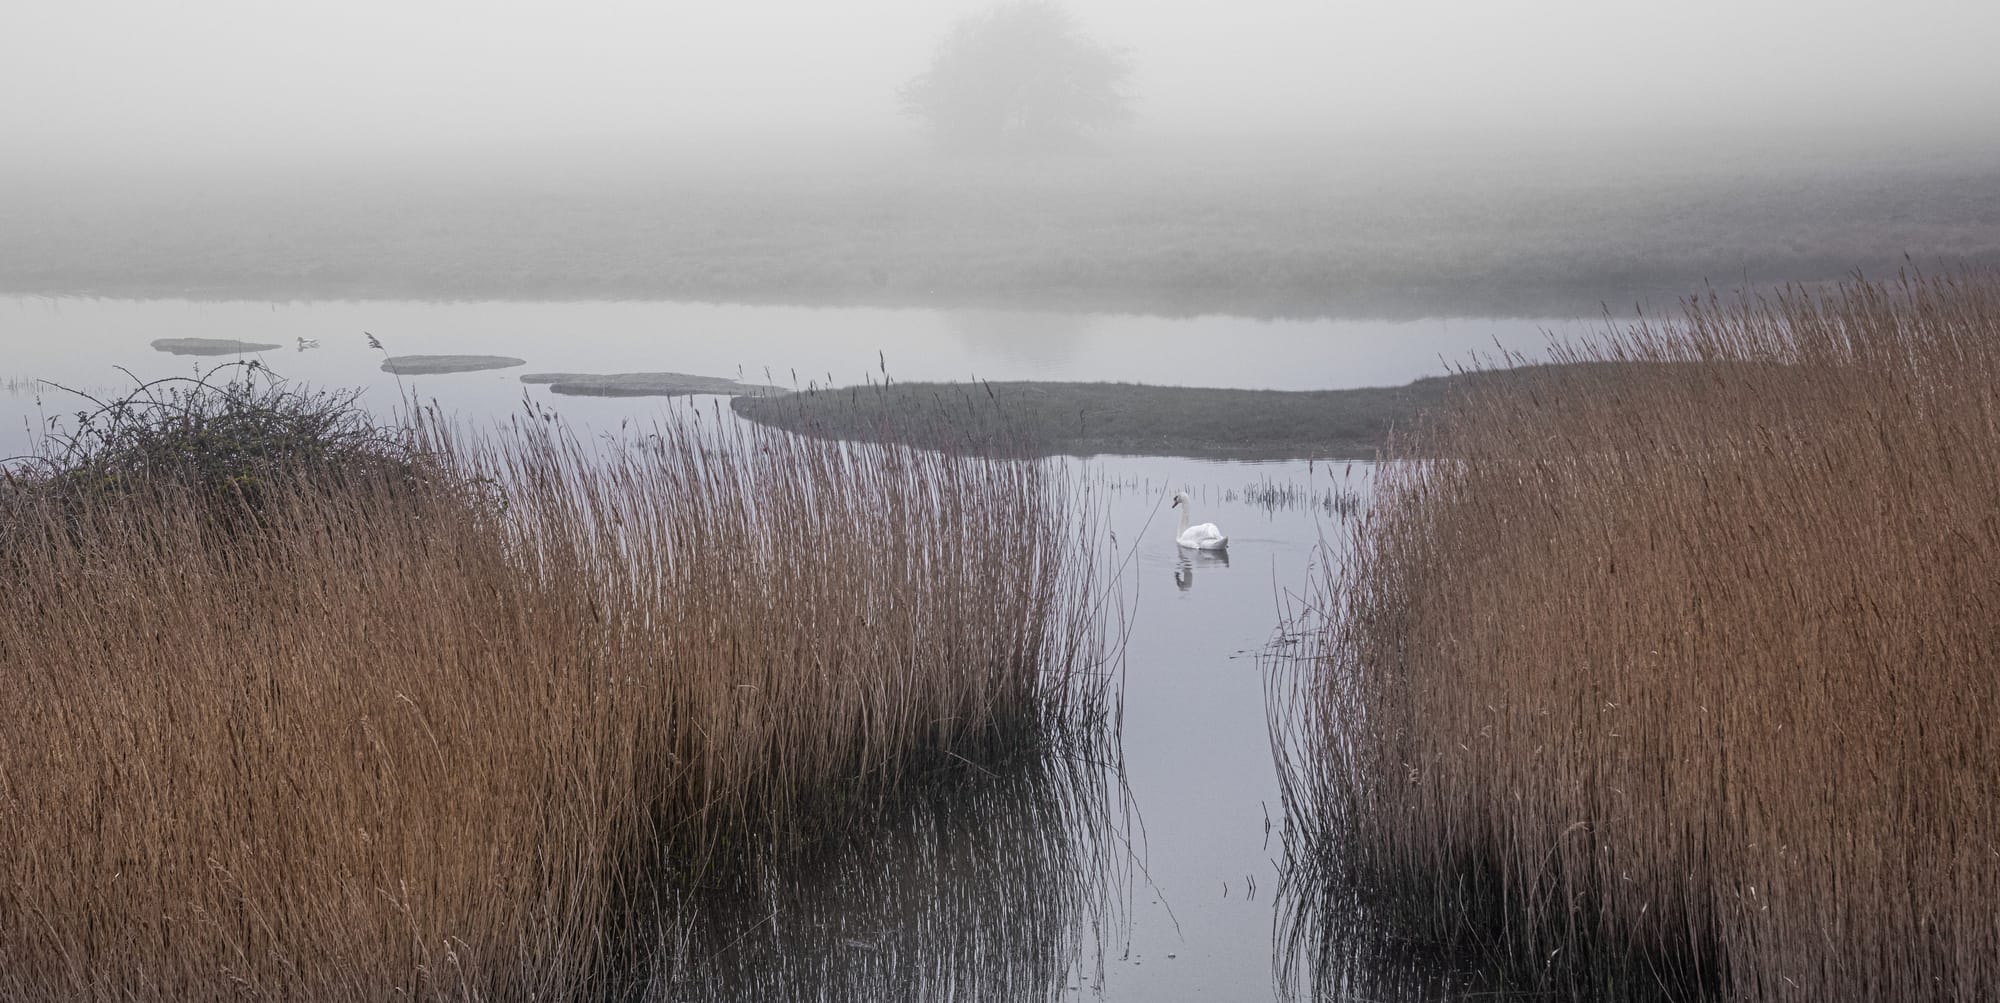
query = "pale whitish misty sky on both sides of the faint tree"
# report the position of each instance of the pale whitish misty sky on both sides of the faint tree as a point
(133, 81)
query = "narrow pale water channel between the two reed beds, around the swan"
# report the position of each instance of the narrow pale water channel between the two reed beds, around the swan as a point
(1197, 750)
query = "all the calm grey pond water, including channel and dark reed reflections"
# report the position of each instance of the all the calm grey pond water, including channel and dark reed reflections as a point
(1155, 892)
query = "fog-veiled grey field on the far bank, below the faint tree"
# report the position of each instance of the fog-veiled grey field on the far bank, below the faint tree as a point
(1465, 231)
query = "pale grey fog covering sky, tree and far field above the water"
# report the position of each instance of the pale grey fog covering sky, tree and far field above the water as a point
(1261, 157)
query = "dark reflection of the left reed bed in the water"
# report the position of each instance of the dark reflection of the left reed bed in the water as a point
(985, 886)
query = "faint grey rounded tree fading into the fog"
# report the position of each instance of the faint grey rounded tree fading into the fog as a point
(1019, 79)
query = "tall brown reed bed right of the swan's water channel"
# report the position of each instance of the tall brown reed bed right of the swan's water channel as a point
(1671, 670)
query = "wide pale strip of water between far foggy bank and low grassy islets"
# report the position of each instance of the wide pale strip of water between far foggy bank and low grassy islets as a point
(79, 343)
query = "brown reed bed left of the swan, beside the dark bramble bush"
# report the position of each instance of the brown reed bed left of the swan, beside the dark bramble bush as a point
(485, 734)
